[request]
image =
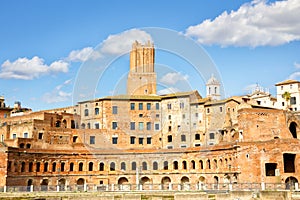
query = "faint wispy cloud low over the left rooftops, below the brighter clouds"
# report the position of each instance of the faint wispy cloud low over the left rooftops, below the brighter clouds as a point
(58, 95)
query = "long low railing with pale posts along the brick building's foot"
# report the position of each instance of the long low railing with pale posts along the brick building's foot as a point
(155, 187)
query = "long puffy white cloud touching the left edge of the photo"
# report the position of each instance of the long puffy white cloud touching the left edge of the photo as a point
(28, 69)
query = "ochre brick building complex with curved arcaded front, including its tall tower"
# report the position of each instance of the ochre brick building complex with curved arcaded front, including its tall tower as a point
(147, 139)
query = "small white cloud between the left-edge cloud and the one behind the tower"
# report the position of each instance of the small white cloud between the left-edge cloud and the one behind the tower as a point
(83, 55)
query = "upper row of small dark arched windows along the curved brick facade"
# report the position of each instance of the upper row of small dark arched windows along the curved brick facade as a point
(62, 166)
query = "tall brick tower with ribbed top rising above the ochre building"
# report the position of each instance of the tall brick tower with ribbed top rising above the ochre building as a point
(141, 78)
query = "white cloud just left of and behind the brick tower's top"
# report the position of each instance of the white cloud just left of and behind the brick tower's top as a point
(121, 43)
